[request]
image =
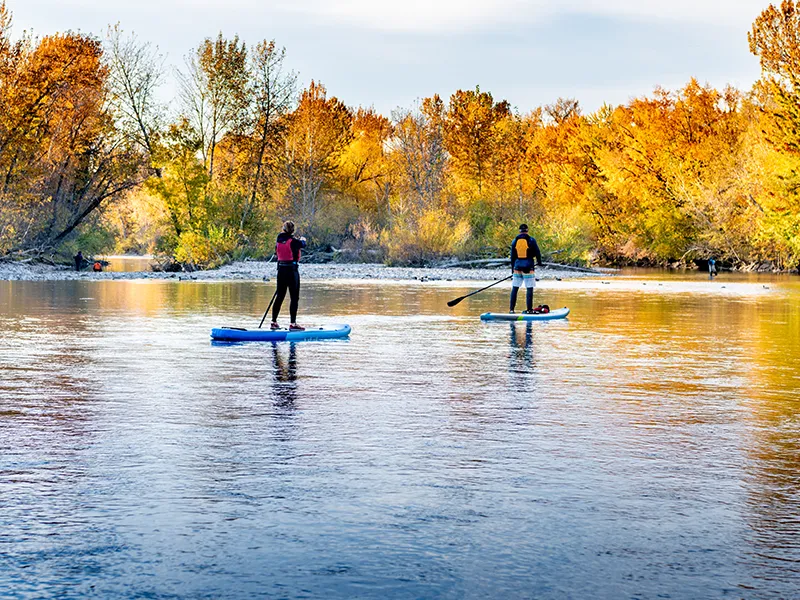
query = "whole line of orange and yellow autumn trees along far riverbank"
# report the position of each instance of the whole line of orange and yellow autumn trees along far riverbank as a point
(90, 158)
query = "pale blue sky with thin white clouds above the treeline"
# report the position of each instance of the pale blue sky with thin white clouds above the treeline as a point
(388, 53)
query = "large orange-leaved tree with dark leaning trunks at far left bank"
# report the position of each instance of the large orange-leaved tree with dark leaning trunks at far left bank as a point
(61, 157)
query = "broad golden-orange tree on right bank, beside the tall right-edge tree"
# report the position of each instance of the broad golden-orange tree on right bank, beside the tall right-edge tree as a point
(667, 164)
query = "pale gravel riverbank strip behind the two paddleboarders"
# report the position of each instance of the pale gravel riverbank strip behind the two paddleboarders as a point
(259, 270)
